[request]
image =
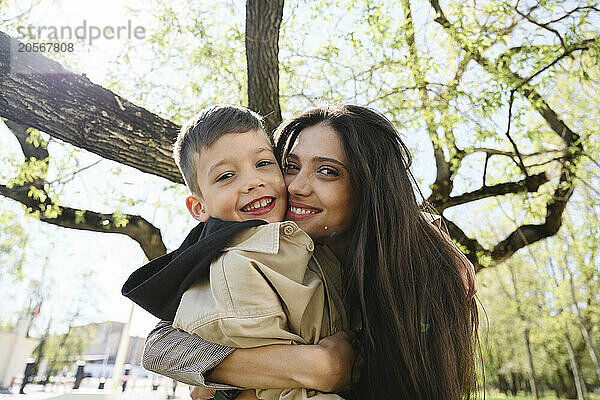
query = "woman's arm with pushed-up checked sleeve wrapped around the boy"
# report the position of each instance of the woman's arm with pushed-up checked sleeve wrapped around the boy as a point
(189, 359)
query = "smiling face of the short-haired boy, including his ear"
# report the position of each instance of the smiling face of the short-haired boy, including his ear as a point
(240, 180)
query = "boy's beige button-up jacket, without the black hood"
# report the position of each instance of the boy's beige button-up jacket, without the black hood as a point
(270, 286)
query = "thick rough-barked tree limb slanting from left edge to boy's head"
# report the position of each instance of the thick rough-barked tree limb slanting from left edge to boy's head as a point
(39, 93)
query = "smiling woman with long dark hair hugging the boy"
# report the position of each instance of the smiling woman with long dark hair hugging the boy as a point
(350, 188)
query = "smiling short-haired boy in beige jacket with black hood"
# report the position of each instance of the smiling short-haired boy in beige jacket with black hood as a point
(237, 280)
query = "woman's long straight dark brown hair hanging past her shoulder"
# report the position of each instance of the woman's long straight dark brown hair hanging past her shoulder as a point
(419, 328)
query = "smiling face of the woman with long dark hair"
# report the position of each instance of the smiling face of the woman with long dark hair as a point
(322, 200)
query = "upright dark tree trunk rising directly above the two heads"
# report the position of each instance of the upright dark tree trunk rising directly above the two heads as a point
(263, 19)
